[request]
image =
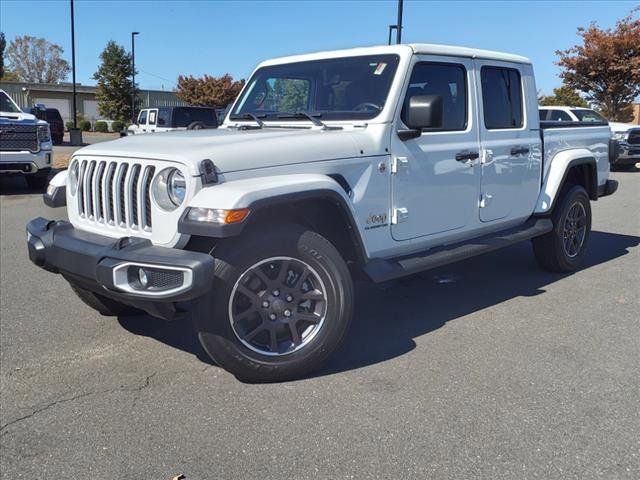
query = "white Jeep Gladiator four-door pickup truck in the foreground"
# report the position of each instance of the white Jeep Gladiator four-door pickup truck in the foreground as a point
(380, 162)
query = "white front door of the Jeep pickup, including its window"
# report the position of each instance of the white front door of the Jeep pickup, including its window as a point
(435, 184)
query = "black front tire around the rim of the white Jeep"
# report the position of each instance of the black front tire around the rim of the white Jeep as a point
(212, 314)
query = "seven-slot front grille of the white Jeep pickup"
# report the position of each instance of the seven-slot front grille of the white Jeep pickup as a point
(115, 193)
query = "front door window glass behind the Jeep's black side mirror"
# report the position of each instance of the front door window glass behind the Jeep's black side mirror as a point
(444, 80)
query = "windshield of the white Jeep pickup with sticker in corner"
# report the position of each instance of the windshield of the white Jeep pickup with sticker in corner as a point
(350, 88)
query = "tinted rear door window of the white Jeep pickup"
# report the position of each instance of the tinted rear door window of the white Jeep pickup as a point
(501, 97)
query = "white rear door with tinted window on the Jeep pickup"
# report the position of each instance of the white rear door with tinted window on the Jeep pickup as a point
(511, 148)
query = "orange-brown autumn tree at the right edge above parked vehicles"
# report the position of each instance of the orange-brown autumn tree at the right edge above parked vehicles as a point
(606, 66)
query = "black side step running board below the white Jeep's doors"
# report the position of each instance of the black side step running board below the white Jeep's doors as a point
(381, 270)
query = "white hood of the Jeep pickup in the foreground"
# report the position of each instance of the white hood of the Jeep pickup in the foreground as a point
(233, 150)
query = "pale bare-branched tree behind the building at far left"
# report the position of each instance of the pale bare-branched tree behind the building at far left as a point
(37, 60)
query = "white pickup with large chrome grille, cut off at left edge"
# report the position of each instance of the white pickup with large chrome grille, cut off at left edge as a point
(25, 143)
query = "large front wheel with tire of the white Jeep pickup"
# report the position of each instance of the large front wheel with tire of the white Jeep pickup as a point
(280, 304)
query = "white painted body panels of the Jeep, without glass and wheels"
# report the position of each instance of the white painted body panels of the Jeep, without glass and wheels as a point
(446, 200)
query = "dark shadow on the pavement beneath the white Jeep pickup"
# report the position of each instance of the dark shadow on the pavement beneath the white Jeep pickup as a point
(388, 318)
